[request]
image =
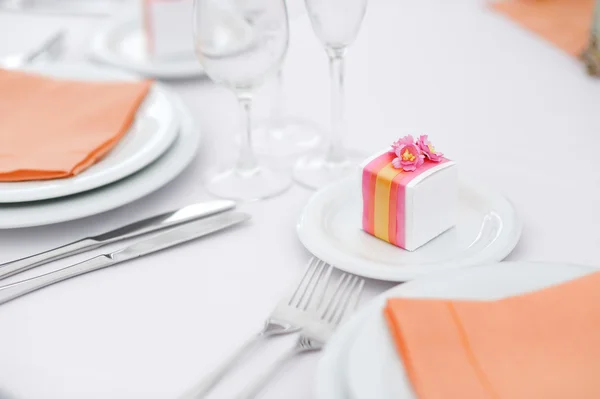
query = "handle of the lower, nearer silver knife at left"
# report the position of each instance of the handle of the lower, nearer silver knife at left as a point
(15, 290)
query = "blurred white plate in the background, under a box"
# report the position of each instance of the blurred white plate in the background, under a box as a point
(122, 44)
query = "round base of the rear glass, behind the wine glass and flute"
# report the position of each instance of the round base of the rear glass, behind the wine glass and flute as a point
(288, 137)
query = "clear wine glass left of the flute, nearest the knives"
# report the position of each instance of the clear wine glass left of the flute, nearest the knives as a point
(240, 43)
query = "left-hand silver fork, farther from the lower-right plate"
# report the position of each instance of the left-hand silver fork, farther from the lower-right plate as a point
(287, 317)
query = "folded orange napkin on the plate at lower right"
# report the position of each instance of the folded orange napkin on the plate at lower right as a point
(540, 345)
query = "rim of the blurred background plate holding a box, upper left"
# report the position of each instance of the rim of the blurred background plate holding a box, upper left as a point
(100, 51)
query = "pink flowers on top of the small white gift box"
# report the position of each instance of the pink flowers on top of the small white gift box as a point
(411, 154)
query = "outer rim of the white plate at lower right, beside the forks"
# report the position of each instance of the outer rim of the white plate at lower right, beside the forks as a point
(331, 367)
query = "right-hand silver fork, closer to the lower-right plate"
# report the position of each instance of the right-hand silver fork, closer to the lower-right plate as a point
(316, 333)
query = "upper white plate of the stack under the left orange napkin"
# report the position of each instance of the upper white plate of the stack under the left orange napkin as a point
(155, 128)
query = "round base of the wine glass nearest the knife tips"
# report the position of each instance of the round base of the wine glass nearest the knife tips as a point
(253, 185)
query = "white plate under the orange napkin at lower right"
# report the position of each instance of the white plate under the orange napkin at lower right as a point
(360, 361)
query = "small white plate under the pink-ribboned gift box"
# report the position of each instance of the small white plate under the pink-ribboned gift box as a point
(487, 230)
